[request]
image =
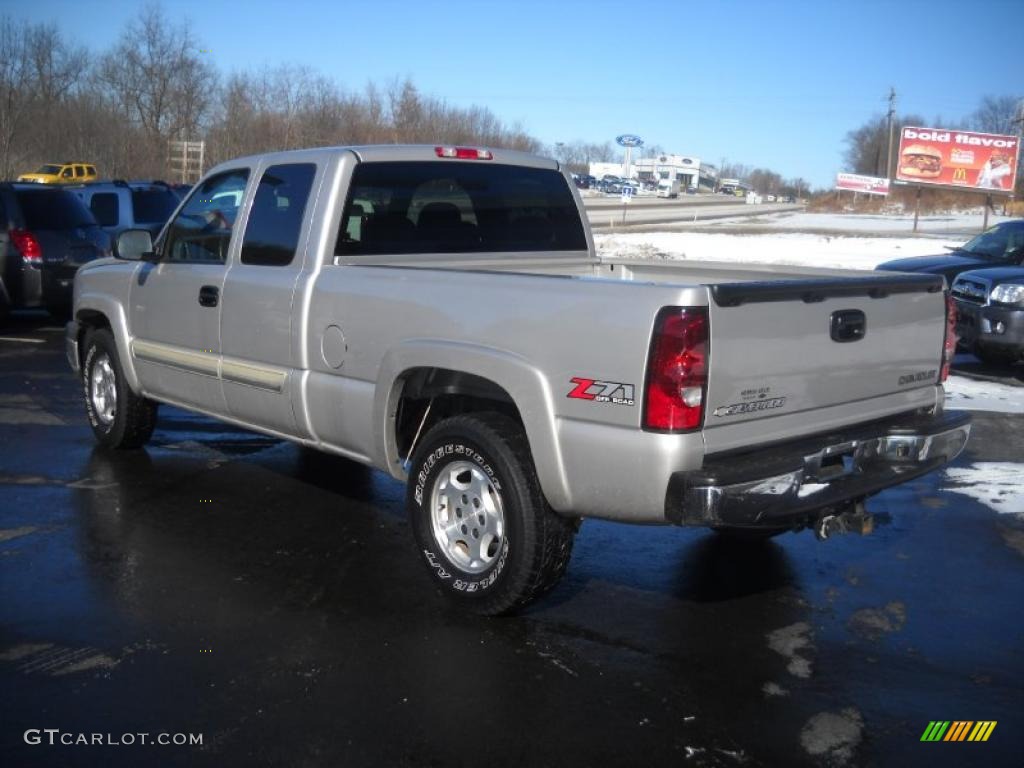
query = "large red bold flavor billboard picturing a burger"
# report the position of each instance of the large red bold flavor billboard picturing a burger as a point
(987, 162)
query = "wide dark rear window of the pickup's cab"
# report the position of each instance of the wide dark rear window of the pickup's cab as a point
(459, 207)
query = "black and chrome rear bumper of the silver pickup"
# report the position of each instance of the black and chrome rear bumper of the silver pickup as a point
(784, 485)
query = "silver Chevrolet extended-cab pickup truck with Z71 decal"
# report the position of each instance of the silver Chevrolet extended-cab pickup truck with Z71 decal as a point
(440, 313)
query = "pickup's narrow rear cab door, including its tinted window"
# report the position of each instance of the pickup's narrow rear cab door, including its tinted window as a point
(259, 368)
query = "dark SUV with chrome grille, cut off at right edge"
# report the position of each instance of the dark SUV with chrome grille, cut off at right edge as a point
(991, 313)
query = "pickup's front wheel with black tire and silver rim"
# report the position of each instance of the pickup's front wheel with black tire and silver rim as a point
(130, 423)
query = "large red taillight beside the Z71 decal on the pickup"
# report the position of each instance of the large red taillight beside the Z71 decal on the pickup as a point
(677, 370)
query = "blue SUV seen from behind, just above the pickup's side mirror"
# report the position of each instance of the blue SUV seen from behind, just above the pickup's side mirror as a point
(130, 205)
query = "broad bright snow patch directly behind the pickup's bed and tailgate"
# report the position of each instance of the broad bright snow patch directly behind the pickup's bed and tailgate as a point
(782, 248)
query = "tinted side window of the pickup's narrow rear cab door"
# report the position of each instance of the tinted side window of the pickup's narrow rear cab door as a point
(276, 220)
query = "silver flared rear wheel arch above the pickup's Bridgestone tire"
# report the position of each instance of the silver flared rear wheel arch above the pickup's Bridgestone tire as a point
(465, 378)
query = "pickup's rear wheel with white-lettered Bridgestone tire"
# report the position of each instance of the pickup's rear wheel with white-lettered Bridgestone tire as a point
(489, 453)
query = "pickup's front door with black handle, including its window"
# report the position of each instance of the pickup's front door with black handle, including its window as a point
(176, 304)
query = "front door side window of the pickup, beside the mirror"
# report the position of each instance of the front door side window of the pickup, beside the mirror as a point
(202, 232)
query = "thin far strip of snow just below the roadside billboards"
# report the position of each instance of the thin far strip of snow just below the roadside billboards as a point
(866, 223)
